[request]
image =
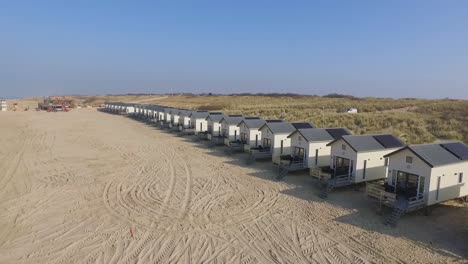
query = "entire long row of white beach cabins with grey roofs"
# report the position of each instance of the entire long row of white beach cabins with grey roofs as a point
(402, 177)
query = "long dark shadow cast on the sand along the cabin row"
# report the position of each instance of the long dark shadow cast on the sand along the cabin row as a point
(444, 231)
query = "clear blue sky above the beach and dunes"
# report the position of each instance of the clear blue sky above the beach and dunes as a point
(364, 48)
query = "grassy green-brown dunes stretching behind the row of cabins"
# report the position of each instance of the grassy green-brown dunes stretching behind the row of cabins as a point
(413, 120)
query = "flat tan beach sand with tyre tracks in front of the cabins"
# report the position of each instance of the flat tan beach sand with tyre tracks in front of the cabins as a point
(89, 187)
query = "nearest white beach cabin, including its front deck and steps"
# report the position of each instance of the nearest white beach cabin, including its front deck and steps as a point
(420, 176)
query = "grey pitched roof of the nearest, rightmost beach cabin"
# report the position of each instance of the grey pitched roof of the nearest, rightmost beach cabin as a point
(432, 154)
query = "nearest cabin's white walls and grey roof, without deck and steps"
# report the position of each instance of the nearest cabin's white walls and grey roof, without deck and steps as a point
(432, 172)
